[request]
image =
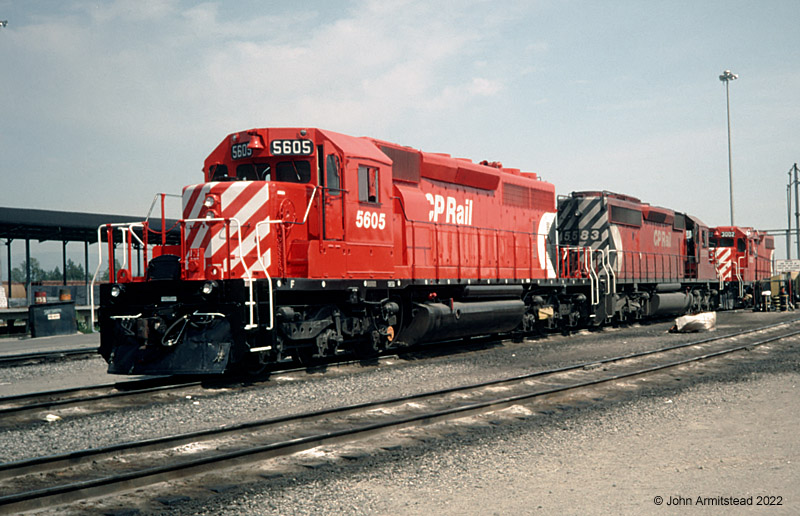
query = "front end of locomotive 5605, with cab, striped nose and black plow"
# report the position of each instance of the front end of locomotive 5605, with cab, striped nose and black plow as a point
(278, 209)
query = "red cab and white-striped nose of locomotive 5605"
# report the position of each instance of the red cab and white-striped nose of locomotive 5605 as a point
(313, 204)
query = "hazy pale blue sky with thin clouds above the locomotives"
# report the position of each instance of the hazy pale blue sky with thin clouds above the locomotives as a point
(108, 103)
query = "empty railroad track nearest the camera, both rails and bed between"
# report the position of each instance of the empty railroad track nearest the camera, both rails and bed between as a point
(60, 479)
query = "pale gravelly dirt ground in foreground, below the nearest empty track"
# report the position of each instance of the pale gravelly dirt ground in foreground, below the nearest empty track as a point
(719, 442)
